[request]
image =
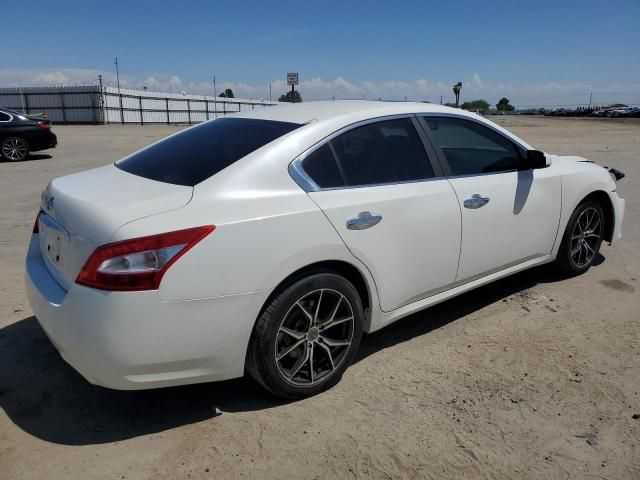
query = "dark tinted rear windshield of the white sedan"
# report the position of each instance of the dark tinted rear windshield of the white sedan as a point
(200, 152)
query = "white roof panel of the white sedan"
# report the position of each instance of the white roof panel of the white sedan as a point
(308, 112)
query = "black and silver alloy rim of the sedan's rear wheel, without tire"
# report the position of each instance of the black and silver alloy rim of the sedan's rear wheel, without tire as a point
(314, 337)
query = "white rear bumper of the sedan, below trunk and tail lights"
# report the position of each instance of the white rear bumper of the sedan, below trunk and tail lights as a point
(134, 340)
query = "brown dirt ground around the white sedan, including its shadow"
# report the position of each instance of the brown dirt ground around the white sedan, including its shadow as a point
(532, 377)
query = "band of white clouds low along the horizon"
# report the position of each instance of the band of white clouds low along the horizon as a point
(317, 88)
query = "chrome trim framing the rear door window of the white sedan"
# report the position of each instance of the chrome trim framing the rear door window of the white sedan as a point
(308, 185)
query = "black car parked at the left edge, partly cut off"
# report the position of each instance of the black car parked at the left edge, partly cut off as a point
(21, 134)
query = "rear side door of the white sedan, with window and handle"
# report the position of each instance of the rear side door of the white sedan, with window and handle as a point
(390, 204)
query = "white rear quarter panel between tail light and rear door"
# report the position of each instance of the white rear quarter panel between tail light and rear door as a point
(261, 237)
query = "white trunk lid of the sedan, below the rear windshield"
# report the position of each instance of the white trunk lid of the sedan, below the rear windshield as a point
(82, 211)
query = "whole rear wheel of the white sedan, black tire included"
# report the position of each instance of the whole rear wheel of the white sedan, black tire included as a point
(307, 336)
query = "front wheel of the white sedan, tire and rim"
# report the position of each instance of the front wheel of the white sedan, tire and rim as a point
(582, 239)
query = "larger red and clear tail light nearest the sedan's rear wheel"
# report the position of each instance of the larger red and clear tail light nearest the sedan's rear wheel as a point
(139, 263)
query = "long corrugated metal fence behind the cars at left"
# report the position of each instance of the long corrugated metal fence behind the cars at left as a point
(90, 104)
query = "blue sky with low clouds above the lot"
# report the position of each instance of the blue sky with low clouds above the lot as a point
(542, 52)
